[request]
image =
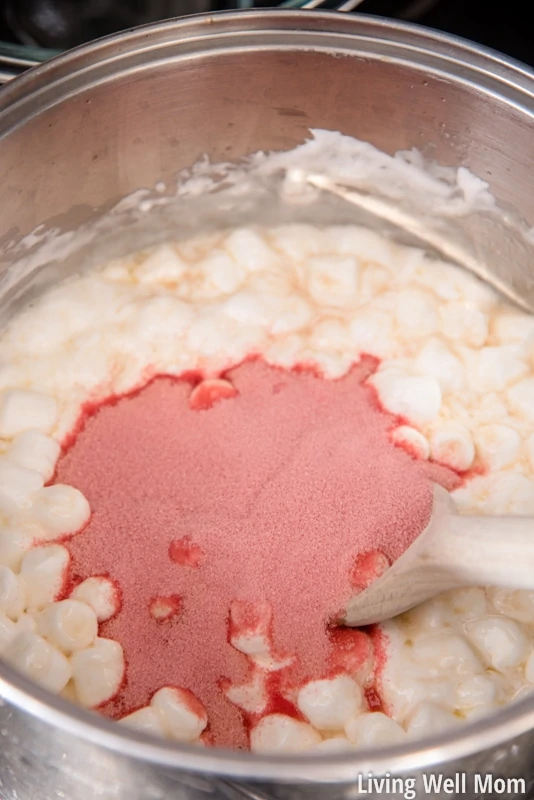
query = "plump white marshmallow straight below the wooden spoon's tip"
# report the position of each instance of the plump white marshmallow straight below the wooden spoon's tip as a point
(329, 704)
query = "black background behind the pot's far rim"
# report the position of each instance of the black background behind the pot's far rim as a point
(500, 24)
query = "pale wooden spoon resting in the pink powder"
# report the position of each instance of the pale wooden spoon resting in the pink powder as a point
(453, 550)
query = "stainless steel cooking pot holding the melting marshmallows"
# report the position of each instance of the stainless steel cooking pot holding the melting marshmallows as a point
(104, 120)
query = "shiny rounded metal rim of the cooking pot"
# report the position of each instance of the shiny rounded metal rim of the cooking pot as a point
(73, 72)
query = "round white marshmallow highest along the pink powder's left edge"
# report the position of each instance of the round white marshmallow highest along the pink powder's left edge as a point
(60, 510)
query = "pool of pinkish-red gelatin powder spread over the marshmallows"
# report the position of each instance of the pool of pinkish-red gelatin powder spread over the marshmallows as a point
(280, 487)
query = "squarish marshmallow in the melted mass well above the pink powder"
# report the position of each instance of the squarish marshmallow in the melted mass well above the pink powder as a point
(333, 280)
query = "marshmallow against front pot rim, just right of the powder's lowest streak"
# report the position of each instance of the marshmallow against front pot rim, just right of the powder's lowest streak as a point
(277, 733)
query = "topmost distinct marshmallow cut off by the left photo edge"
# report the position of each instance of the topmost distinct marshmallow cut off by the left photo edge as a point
(21, 410)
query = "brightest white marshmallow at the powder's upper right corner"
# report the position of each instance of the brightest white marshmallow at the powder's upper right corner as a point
(414, 397)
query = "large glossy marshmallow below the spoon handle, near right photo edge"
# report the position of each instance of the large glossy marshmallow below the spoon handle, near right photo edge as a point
(501, 642)
